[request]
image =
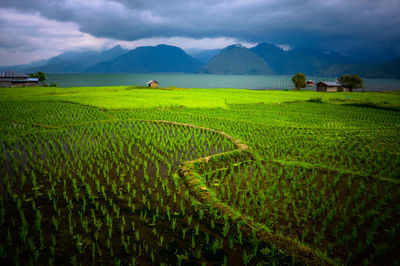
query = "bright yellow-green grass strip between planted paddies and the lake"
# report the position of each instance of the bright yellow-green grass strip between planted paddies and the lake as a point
(123, 97)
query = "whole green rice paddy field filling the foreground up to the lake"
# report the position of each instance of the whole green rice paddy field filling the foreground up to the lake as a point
(133, 176)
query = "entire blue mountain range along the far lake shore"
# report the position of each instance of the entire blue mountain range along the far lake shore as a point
(263, 59)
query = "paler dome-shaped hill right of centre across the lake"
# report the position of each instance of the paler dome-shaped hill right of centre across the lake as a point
(237, 60)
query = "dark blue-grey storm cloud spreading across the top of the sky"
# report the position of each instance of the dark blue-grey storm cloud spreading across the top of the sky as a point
(341, 25)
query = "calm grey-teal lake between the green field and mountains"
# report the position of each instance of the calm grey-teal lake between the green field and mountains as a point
(201, 81)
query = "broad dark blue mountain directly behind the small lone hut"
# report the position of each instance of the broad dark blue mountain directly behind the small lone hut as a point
(161, 58)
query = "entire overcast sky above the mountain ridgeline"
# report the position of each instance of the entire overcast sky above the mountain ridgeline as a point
(37, 29)
